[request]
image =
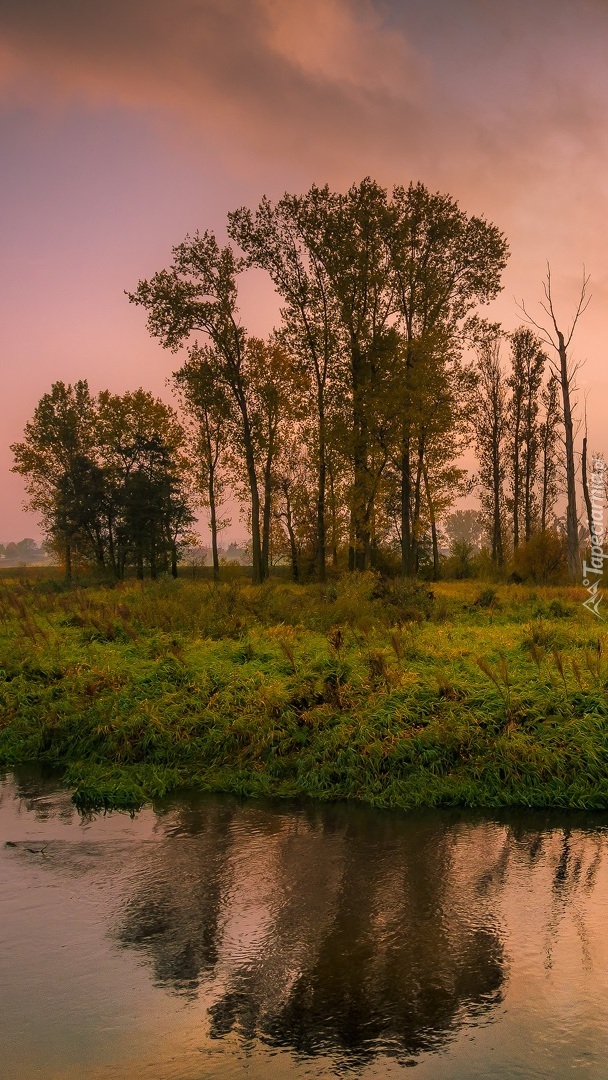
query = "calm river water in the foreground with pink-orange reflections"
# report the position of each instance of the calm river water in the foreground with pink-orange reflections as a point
(215, 938)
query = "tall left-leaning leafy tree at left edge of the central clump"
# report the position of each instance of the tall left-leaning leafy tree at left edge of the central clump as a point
(199, 294)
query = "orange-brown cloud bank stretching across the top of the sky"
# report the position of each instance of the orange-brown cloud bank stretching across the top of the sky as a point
(333, 88)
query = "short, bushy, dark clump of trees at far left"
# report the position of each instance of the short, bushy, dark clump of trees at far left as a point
(107, 476)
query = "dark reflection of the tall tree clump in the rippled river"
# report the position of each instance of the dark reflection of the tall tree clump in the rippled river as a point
(332, 931)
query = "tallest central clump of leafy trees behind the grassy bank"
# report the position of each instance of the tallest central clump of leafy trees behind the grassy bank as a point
(377, 296)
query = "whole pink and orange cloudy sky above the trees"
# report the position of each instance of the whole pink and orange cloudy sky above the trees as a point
(128, 125)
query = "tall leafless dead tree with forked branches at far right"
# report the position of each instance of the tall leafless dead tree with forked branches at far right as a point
(566, 372)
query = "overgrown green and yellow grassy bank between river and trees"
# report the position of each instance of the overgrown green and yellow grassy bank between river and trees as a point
(360, 691)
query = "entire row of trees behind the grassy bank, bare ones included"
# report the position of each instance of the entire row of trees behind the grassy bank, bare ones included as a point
(342, 434)
